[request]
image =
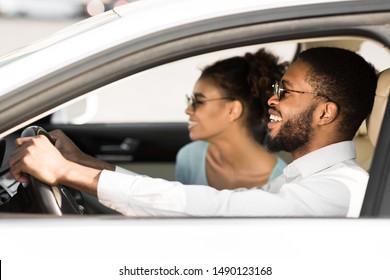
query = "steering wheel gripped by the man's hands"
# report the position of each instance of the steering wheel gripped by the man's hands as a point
(56, 200)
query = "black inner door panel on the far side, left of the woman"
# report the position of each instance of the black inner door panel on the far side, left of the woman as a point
(145, 145)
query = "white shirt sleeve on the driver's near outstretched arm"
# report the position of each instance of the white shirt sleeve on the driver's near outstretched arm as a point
(142, 196)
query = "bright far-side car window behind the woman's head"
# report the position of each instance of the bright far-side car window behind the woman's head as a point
(154, 95)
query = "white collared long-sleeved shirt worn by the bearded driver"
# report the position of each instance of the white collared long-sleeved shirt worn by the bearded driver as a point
(325, 183)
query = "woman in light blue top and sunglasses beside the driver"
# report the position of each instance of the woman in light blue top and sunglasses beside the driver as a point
(228, 103)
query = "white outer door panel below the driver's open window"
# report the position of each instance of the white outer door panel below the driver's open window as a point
(96, 248)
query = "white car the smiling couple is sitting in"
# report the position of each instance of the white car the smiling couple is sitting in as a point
(116, 84)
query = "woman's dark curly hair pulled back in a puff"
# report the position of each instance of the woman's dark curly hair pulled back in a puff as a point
(249, 79)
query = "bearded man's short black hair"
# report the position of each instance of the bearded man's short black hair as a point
(347, 79)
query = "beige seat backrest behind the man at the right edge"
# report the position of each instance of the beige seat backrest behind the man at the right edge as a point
(374, 122)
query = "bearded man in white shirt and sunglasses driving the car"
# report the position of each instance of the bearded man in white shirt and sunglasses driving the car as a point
(316, 110)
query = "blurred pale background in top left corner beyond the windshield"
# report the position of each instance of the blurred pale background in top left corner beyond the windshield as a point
(24, 21)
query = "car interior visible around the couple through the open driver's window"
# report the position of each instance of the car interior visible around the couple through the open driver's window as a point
(144, 135)
